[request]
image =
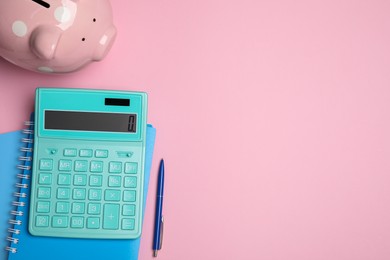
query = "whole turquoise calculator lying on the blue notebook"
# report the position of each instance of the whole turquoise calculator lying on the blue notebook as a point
(88, 163)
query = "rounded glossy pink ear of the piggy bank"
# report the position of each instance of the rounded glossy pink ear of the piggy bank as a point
(44, 40)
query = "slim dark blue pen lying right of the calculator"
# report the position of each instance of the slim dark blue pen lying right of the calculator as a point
(159, 220)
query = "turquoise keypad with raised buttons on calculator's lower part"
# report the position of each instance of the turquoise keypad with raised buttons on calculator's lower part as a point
(86, 192)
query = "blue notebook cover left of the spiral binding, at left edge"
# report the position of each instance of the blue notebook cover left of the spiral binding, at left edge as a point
(9, 153)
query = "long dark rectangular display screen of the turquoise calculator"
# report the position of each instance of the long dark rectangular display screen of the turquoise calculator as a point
(90, 121)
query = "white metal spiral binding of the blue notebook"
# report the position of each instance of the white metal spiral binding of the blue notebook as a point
(22, 187)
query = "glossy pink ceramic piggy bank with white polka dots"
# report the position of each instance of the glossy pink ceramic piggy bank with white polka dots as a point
(55, 36)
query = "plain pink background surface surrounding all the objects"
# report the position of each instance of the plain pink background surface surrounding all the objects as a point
(273, 118)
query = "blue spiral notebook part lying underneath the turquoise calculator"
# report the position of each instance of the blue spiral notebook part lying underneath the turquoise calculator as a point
(26, 246)
